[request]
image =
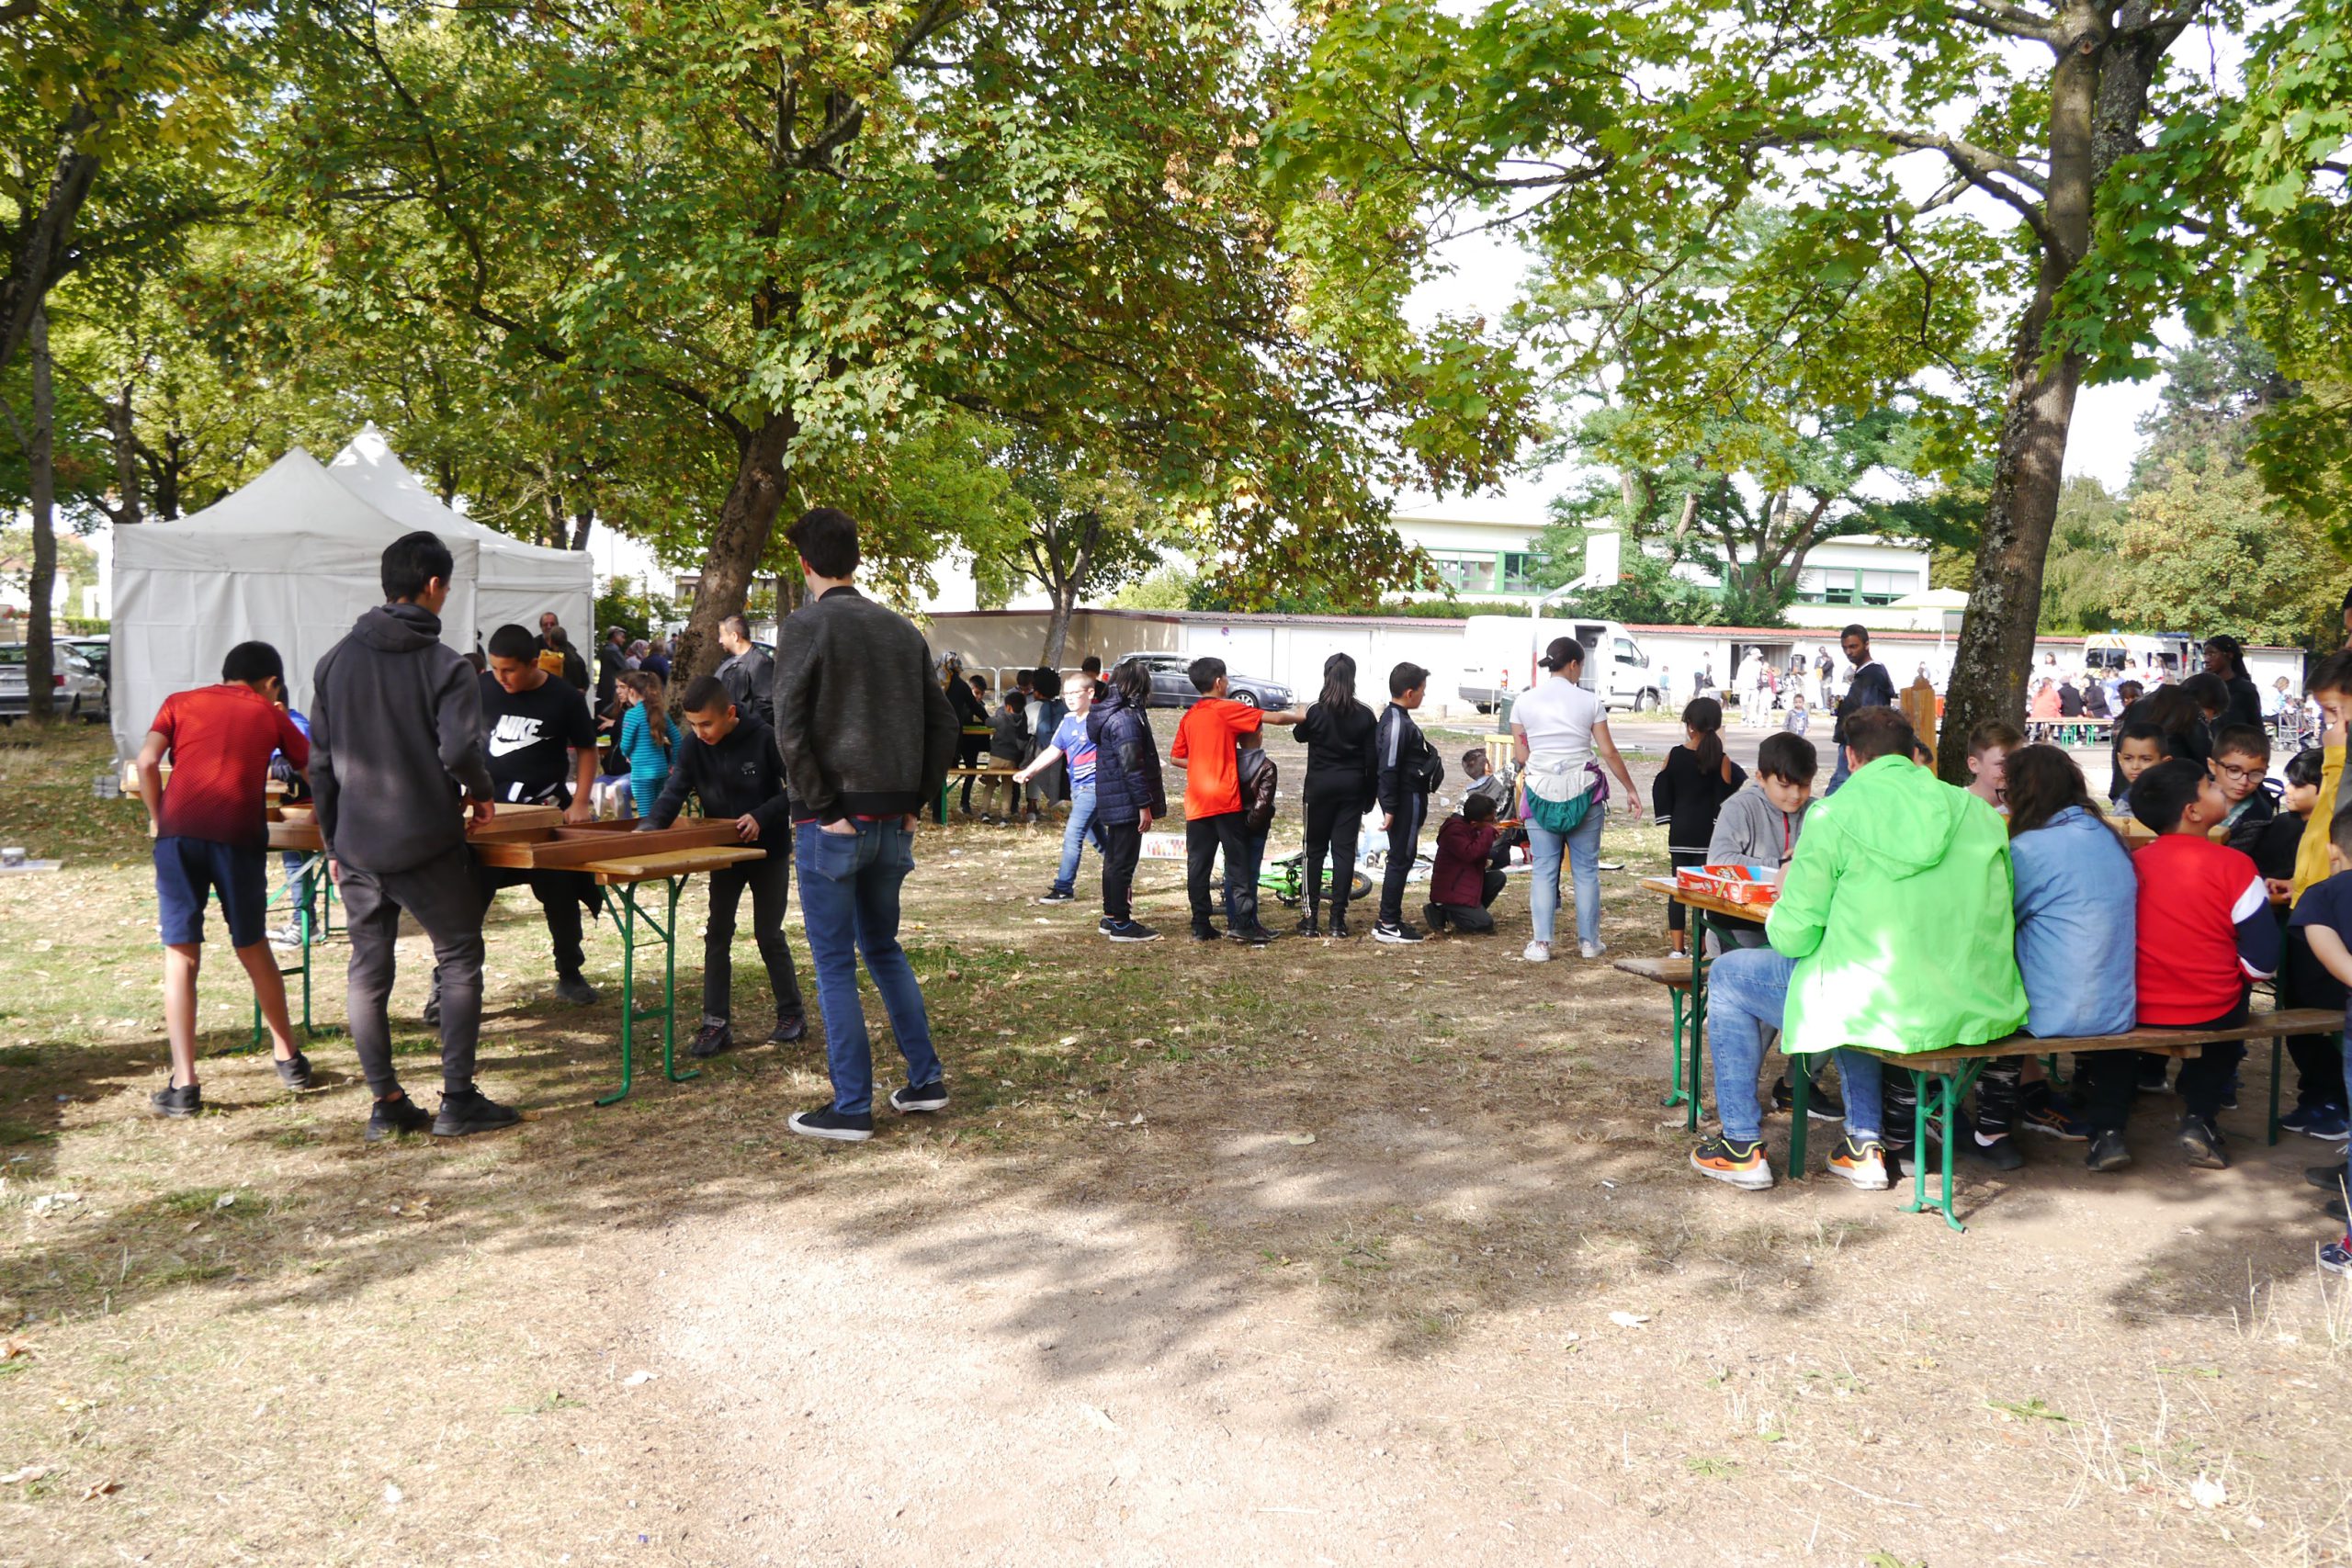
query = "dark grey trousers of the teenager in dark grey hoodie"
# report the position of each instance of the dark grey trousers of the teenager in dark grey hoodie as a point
(446, 899)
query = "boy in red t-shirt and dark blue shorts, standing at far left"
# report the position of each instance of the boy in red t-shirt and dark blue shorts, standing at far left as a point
(211, 833)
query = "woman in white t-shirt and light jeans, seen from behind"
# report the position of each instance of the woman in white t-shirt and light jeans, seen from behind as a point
(1558, 735)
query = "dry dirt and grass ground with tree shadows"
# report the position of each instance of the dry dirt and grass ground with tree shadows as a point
(1323, 1254)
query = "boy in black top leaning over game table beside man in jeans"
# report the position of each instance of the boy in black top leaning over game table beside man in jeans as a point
(733, 765)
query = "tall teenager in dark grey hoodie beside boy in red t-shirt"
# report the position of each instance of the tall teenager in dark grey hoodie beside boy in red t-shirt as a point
(396, 716)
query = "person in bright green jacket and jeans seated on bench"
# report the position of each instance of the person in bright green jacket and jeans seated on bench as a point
(1892, 932)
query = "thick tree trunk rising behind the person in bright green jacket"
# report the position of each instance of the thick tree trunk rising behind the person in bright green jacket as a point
(2005, 601)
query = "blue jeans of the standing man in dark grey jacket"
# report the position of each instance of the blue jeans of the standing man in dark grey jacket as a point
(850, 906)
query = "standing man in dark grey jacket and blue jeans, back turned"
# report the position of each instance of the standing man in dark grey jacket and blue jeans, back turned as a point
(867, 737)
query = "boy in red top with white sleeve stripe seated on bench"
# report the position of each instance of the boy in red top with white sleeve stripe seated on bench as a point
(2205, 930)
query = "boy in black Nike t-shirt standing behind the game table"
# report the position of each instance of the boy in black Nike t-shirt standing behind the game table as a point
(542, 751)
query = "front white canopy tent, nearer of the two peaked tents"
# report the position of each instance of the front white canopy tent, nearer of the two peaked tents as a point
(290, 561)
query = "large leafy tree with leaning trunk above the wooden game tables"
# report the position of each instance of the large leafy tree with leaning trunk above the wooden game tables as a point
(810, 232)
